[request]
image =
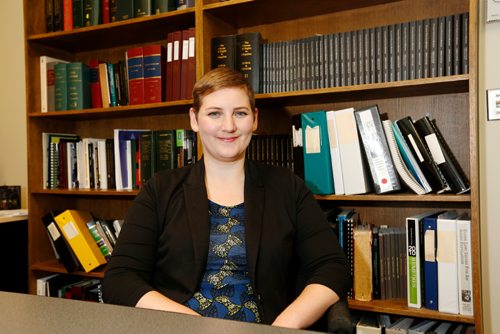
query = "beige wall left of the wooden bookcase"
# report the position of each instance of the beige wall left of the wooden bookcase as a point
(13, 153)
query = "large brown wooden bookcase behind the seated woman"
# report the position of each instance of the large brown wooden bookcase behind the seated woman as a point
(451, 100)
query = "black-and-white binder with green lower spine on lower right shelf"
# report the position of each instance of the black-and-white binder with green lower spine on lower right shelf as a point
(415, 259)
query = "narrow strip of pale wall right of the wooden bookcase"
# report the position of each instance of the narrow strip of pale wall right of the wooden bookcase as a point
(489, 141)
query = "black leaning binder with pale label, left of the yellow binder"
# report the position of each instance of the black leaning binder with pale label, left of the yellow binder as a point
(64, 252)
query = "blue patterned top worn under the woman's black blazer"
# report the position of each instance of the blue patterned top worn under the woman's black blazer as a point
(225, 290)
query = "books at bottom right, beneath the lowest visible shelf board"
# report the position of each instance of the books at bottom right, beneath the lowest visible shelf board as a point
(370, 323)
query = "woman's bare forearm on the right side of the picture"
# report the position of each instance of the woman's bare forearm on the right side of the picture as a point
(307, 308)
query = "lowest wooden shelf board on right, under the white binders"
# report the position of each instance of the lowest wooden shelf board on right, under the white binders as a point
(399, 307)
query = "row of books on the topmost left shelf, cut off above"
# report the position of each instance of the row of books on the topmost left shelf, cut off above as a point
(64, 15)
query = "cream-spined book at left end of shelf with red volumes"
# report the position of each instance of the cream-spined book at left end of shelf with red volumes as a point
(47, 82)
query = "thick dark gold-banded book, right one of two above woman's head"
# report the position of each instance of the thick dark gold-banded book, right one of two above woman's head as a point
(248, 57)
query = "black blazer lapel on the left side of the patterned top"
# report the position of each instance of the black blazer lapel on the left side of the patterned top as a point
(196, 204)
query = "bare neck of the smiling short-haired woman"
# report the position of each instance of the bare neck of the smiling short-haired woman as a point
(225, 182)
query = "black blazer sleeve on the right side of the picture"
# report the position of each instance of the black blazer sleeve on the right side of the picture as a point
(322, 259)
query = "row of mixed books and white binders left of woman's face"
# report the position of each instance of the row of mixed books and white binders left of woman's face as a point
(124, 162)
